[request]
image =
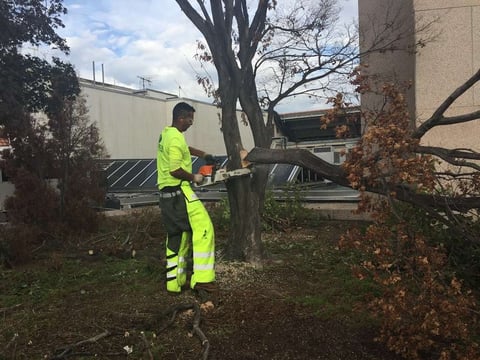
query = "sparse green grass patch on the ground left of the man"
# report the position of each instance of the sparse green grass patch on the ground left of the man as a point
(55, 299)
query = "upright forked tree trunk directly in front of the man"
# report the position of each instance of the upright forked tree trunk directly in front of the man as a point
(236, 81)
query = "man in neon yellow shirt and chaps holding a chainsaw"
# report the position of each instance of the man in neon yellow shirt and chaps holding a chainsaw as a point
(185, 218)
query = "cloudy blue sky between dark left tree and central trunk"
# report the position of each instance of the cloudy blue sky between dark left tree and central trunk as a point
(140, 43)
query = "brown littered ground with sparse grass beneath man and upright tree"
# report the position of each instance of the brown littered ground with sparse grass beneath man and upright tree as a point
(99, 300)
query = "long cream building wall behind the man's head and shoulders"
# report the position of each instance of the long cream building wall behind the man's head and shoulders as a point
(130, 122)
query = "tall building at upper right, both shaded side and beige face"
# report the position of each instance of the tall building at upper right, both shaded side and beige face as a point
(437, 69)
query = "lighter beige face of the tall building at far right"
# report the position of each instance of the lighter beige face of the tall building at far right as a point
(445, 64)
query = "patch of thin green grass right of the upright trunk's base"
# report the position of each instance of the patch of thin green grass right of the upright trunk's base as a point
(326, 283)
